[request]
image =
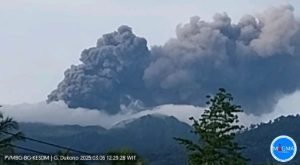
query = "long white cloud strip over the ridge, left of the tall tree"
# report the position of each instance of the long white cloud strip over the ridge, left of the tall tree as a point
(58, 113)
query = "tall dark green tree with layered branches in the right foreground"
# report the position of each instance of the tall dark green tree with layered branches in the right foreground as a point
(216, 130)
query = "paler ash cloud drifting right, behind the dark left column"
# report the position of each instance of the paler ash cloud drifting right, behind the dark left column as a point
(257, 60)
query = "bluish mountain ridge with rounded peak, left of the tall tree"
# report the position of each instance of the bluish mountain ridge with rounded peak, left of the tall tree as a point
(151, 136)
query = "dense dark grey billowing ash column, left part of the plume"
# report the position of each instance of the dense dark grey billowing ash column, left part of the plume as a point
(110, 73)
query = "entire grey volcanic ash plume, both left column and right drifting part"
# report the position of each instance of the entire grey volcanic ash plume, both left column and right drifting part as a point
(256, 59)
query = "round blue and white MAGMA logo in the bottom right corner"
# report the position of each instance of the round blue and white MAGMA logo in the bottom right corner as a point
(283, 148)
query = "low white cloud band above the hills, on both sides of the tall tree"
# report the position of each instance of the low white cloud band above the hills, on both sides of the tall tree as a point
(58, 113)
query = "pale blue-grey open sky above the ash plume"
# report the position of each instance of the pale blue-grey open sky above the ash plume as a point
(39, 40)
